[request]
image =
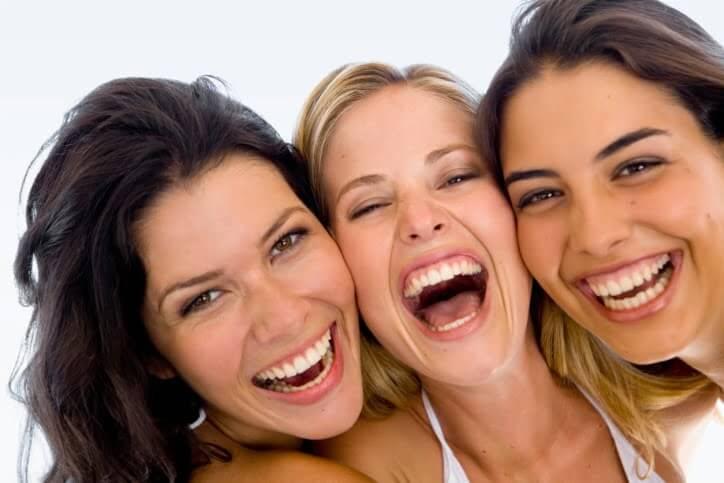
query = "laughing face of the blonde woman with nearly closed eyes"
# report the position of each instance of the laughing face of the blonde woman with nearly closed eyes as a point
(428, 237)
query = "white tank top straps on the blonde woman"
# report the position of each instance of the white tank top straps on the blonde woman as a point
(453, 471)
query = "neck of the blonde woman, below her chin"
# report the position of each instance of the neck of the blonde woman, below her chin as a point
(518, 415)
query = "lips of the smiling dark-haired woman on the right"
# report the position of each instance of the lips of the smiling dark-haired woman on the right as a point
(643, 311)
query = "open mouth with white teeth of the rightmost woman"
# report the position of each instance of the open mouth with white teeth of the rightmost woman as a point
(634, 287)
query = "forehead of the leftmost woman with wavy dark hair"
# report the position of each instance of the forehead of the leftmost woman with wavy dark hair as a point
(223, 210)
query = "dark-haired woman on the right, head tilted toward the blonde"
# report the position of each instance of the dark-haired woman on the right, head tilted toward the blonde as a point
(605, 125)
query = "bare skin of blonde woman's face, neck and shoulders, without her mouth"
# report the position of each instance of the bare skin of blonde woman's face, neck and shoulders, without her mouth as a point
(427, 194)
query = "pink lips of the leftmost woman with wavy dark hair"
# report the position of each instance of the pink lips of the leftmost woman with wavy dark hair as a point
(316, 393)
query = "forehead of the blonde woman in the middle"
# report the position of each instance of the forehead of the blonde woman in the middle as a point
(398, 122)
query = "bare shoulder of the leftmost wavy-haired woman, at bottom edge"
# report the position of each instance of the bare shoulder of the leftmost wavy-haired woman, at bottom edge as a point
(277, 466)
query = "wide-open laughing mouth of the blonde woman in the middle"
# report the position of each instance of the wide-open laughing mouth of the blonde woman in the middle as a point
(448, 294)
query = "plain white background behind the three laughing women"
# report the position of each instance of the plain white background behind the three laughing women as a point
(271, 53)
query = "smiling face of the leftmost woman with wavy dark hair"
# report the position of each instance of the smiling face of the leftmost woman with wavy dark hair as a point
(249, 301)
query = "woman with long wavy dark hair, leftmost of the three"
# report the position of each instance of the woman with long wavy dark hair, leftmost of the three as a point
(192, 319)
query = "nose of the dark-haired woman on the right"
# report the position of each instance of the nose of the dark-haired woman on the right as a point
(598, 224)
